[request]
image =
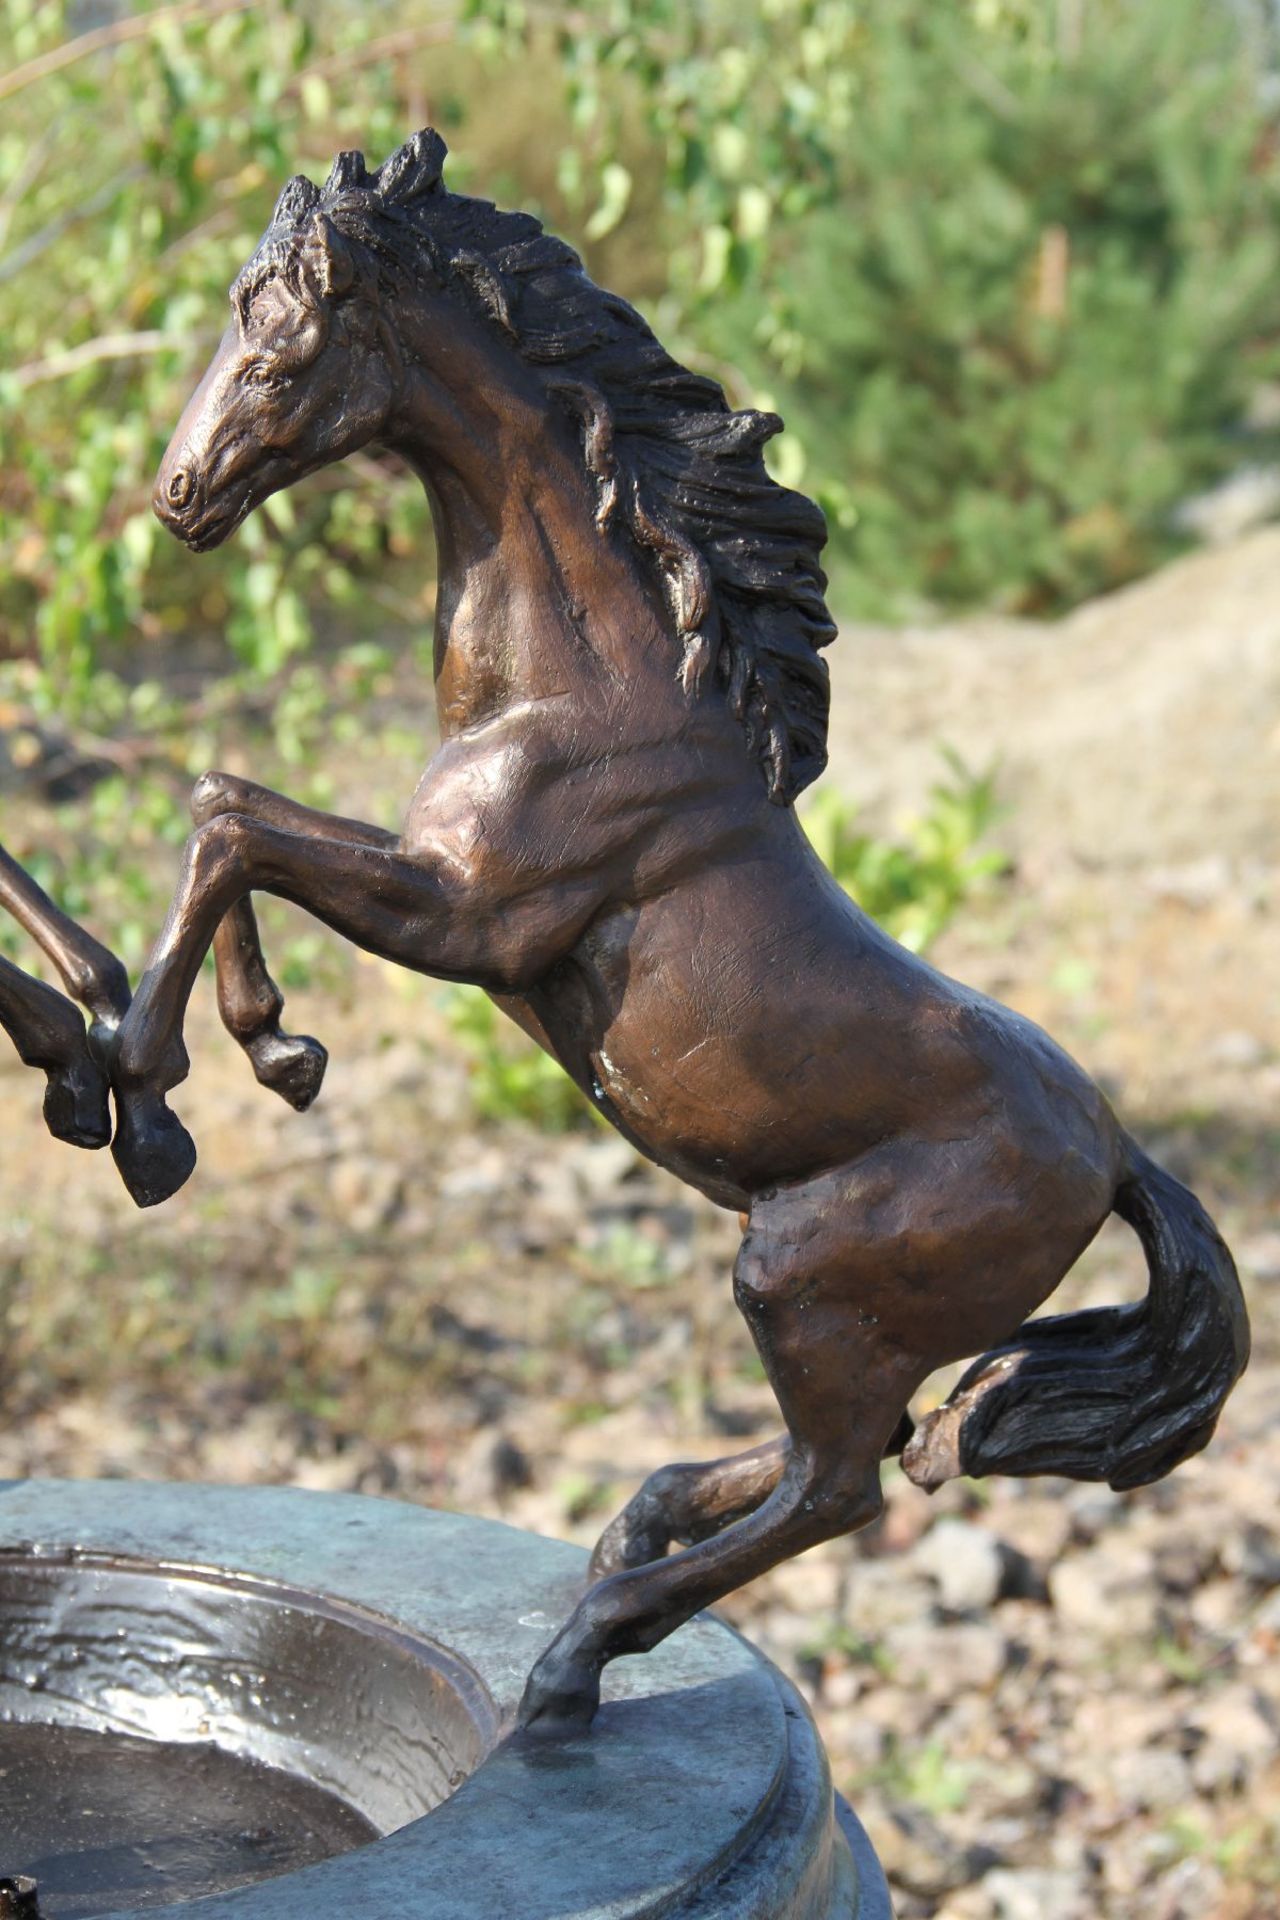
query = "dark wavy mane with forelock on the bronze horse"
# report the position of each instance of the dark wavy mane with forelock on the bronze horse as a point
(684, 471)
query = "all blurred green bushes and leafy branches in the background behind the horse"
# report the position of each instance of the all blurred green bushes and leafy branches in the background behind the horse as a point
(1007, 268)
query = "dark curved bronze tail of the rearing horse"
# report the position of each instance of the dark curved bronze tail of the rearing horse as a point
(1118, 1395)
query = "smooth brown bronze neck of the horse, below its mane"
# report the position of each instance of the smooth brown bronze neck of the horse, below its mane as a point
(533, 598)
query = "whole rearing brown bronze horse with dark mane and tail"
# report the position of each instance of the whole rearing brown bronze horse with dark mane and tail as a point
(630, 700)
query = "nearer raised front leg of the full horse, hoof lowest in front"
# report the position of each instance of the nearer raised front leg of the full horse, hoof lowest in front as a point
(414, 909)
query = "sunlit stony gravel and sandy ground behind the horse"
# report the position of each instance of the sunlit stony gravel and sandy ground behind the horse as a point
(1049, 1702)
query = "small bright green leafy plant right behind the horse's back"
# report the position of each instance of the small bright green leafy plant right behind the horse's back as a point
(914, 886)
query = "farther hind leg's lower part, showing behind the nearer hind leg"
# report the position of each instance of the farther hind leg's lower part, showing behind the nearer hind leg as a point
(688, 1504)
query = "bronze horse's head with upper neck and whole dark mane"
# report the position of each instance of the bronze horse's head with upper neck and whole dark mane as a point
(387, 308)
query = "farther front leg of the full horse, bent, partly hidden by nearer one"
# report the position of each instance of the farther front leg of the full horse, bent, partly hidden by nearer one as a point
(250, 1003)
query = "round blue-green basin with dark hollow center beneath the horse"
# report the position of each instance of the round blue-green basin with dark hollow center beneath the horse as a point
(285, 1706)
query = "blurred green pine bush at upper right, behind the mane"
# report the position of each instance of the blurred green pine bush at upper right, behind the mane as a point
(1008, 270)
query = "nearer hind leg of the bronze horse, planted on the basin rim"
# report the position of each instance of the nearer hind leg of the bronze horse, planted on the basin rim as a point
(841, 1387)
